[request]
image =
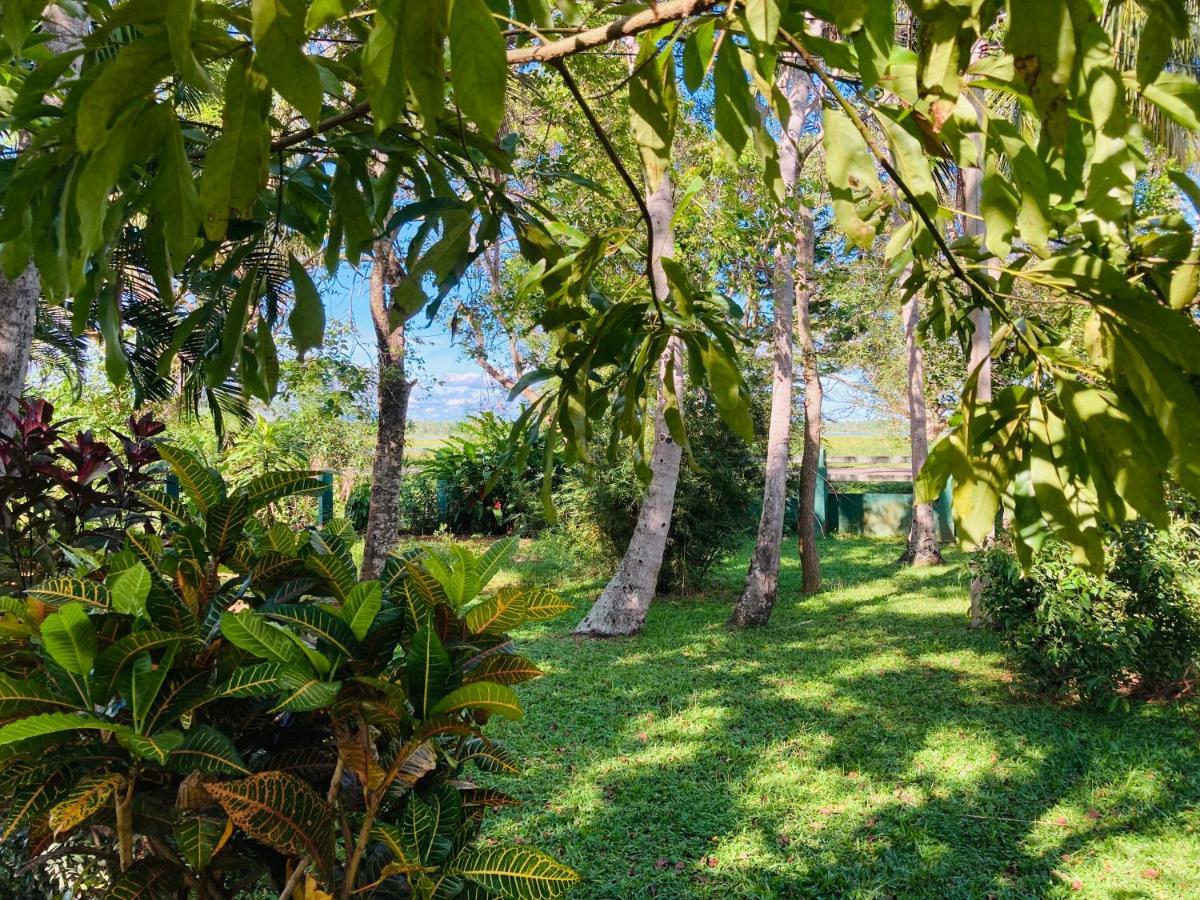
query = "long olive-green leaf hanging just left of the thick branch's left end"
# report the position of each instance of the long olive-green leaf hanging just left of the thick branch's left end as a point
(236, 165)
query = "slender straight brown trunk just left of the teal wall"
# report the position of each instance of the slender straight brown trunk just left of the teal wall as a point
(807, 525)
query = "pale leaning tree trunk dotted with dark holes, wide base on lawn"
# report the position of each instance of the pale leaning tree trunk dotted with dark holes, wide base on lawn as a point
(621, 609)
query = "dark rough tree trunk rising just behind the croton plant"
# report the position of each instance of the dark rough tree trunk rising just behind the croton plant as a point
(395, 388)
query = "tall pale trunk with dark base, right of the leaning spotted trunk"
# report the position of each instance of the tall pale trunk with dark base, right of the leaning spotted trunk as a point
(761, 587)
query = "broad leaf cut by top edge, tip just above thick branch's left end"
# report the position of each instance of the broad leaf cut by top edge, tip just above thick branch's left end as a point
(280, 35)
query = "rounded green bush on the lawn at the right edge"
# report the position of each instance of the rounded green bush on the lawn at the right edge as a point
(1073, 634)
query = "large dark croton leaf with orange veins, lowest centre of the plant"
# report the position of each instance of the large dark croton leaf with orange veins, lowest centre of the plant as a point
(281, 812)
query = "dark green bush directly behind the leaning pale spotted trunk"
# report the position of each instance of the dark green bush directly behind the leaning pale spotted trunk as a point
(717, 502)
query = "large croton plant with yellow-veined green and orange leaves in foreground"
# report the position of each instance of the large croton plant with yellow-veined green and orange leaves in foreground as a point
(223, 705)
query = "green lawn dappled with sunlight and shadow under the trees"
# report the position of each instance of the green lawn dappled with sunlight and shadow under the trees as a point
(866, 745)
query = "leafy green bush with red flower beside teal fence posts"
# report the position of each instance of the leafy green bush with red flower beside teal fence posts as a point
(487, 489)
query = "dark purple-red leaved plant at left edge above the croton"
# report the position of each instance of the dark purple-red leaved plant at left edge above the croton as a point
(64, 499)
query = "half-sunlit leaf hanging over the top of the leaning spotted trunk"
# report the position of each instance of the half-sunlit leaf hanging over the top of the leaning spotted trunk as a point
(653, 109)
